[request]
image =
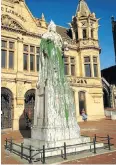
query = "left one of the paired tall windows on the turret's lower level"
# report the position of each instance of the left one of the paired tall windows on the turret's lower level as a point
(87, 66)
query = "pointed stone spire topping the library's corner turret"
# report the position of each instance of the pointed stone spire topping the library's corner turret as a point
(83, 8)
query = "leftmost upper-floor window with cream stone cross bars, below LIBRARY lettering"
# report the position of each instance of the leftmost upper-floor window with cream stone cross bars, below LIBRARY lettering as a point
(7, 54)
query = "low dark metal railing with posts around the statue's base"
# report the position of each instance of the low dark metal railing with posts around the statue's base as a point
(30, 157)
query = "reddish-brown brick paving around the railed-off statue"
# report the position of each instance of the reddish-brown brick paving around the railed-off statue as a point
(101, 128)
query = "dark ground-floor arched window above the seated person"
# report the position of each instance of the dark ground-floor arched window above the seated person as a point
(82, 101)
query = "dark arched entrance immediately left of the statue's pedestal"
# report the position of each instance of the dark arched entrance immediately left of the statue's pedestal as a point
(30, 103)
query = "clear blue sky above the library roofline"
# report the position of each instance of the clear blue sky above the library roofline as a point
(61, 12)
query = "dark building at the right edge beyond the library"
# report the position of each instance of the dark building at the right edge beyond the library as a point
(109, 77)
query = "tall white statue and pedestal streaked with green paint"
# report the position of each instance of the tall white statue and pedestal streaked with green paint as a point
(55, 113)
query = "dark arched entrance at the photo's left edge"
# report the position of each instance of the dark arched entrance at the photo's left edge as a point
(6, 108)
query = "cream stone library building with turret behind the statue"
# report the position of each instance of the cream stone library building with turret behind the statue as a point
(21, 36)
